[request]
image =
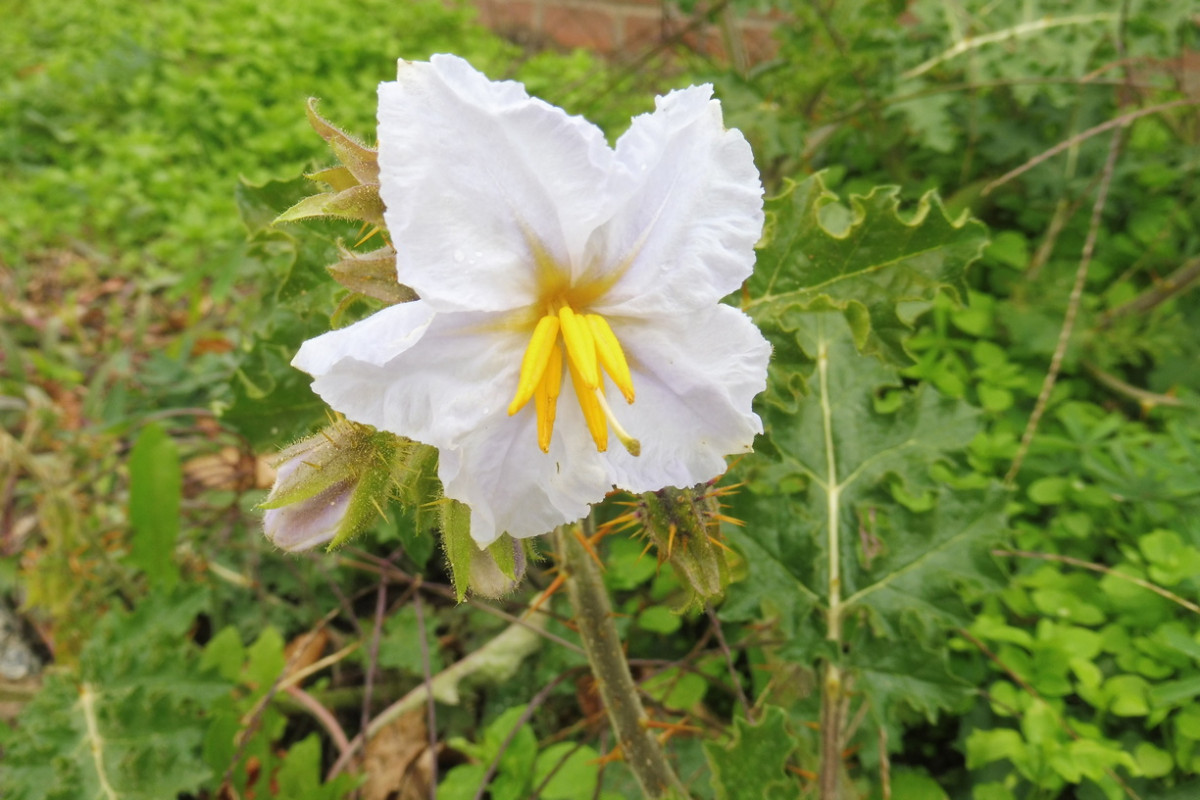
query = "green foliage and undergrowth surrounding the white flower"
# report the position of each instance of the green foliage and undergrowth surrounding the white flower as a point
(1027, 634)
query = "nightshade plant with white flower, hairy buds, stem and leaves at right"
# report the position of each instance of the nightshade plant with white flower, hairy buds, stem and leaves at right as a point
(520, 250)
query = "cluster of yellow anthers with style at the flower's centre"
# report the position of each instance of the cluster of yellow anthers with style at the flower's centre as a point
(591, 346)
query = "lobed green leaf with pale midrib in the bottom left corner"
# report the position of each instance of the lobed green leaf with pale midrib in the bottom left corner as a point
(129, 721)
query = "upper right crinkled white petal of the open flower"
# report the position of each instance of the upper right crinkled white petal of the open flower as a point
(692, 209)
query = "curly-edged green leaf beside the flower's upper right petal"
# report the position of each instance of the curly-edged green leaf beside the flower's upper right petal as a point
(880, 264)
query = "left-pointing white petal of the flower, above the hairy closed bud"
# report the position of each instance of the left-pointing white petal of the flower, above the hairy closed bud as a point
(425, 376)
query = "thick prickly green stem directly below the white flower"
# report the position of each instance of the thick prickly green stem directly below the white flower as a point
(593, 616)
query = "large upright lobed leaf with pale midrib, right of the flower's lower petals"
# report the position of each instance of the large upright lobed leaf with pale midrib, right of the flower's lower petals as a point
(825, 534)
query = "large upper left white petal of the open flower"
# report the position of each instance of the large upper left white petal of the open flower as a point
(475, 173)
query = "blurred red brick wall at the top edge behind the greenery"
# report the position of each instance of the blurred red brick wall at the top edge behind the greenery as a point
(632, 27)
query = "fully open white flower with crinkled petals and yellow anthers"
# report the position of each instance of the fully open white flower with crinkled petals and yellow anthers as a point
(539, 252)
